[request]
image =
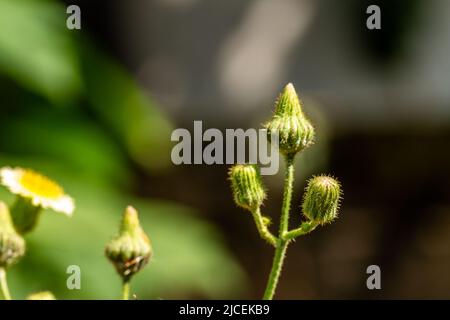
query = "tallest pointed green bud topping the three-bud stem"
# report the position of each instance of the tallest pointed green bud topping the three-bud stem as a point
(294, 129)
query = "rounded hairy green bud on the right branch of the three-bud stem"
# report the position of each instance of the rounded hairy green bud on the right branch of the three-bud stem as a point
(321, 200)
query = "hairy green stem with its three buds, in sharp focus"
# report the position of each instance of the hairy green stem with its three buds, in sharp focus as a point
(321, 199)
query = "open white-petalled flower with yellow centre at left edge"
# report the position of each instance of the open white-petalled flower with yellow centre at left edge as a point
(40, 190)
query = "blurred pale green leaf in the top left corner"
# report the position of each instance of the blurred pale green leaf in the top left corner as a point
(36, 49)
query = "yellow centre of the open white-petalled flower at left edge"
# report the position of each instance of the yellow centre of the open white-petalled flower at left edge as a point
(40, 185)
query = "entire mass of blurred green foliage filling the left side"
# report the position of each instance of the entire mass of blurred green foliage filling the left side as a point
(74, 114)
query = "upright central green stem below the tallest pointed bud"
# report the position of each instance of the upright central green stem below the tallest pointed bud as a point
(282, 244)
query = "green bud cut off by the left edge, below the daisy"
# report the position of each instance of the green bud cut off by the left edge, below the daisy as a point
(12, 245)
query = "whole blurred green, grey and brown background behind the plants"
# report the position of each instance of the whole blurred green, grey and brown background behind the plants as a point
(94, 109)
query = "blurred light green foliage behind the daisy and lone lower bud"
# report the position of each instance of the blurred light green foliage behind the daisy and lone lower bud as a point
(187, 261)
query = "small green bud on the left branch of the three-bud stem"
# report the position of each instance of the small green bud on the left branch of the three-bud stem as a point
(247, 186)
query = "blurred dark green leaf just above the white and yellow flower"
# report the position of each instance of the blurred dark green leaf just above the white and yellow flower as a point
(67, 137)
